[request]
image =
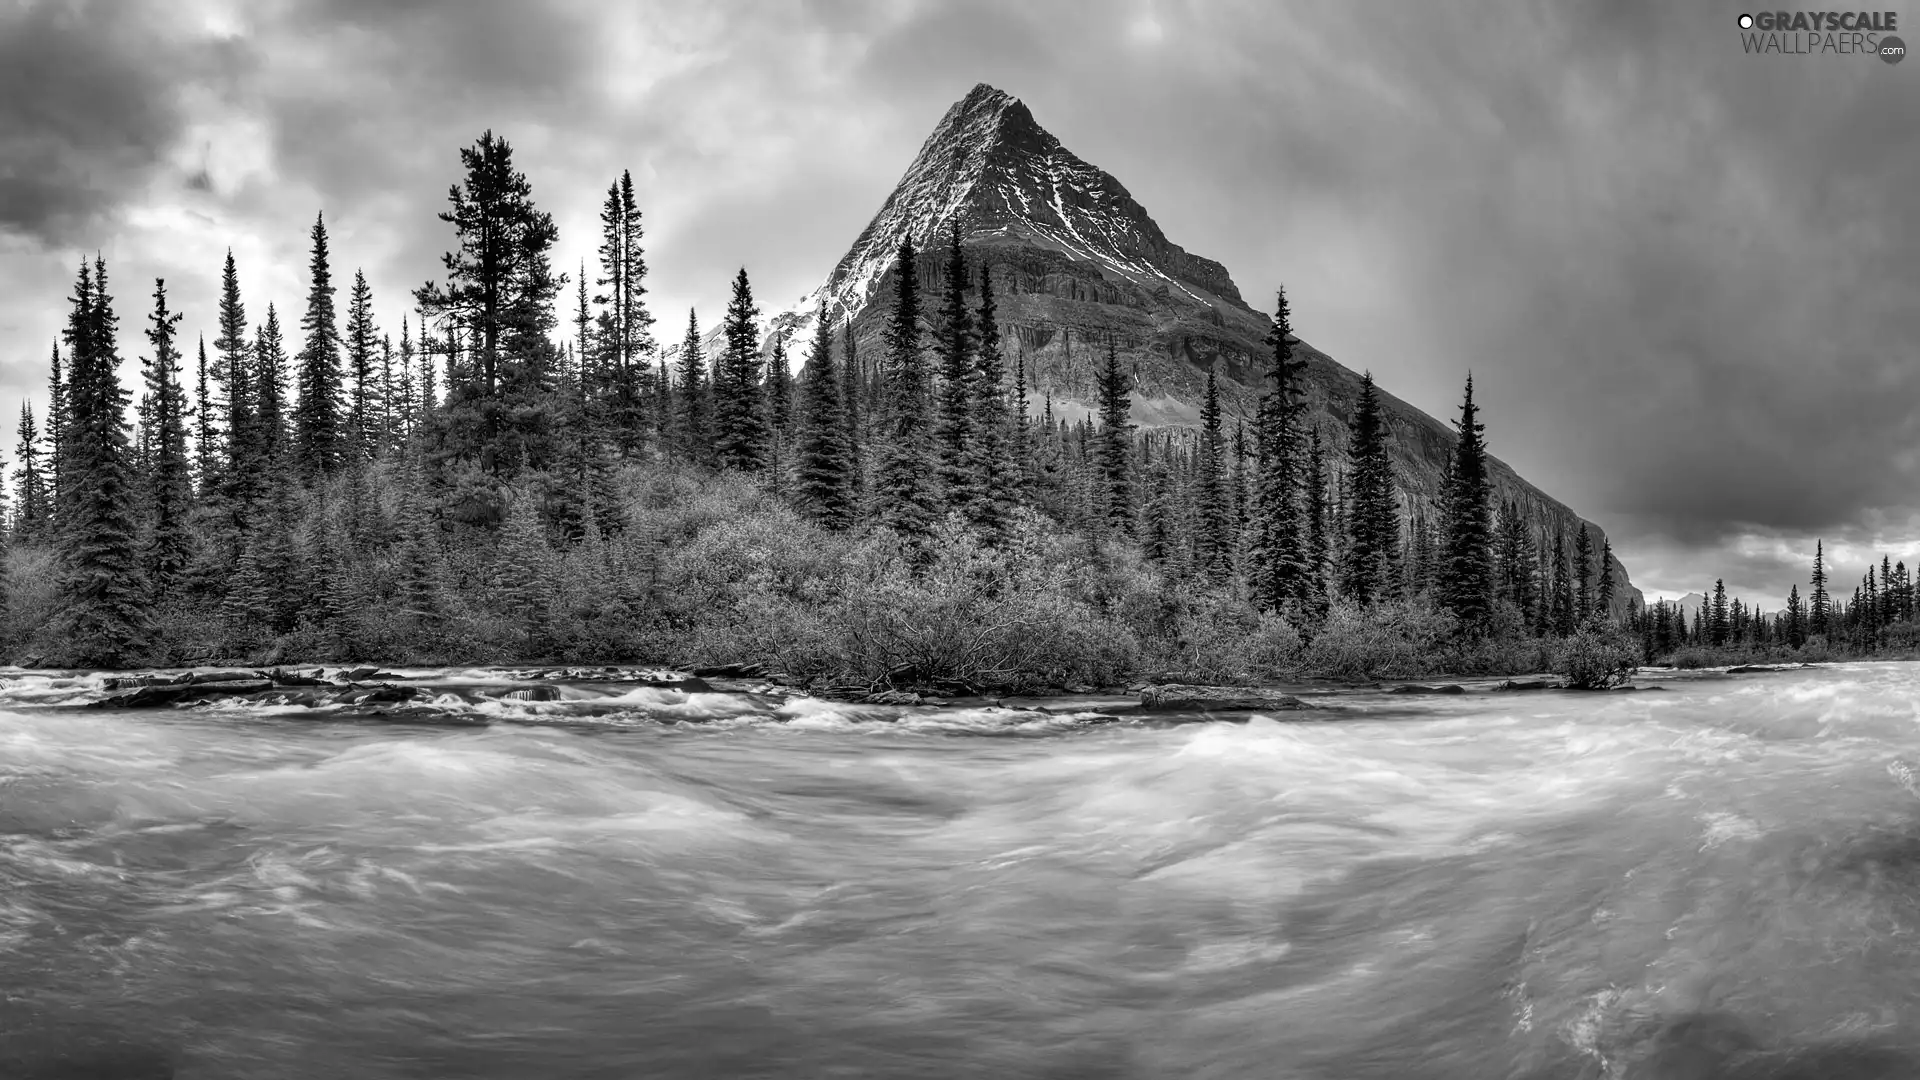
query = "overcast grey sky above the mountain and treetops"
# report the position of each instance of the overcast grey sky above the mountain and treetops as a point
(1685, 278)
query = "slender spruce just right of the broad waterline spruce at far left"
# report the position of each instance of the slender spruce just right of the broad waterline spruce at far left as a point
(168, 481)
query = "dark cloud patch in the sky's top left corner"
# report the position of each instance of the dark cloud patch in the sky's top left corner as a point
(87, 110)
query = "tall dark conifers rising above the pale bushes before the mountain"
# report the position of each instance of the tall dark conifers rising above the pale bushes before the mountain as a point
(266, 499)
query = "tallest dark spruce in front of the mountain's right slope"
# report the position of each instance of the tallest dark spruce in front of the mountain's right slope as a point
(1278, 551)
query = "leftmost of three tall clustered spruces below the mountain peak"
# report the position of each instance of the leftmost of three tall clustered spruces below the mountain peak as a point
(905, 497)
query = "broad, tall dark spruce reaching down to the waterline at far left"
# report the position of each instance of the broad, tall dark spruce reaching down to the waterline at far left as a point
(105, 618)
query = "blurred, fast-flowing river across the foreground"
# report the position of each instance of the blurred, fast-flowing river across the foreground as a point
(1714, 881)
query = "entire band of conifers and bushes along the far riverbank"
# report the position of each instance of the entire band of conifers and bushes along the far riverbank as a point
(510, 466)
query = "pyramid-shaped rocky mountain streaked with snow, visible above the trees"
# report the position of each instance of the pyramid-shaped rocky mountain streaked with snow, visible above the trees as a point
(1078, 262)
